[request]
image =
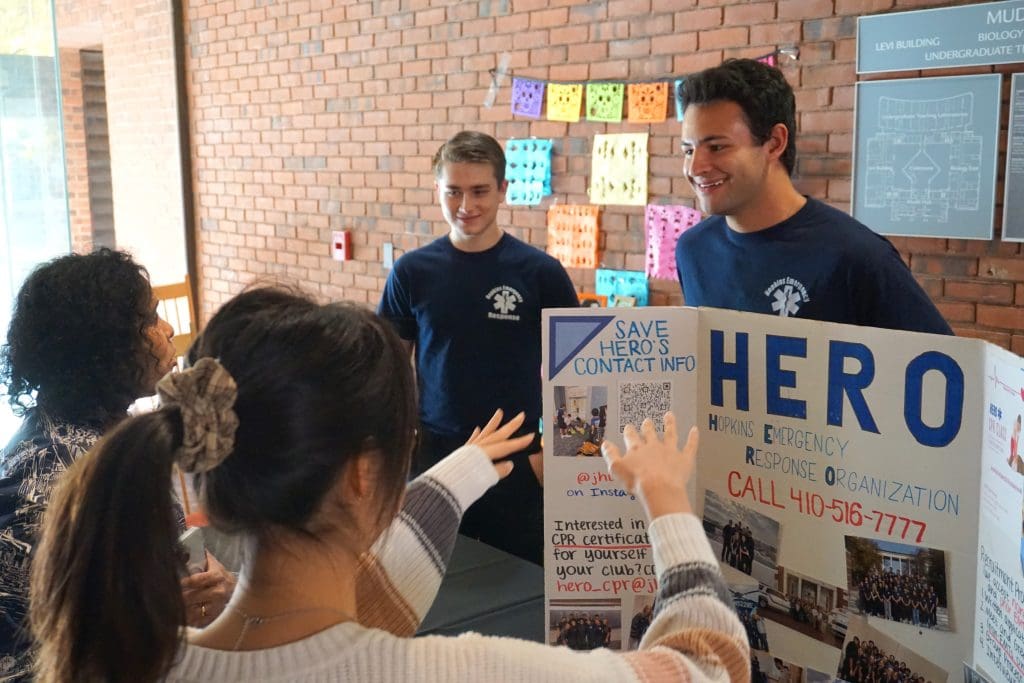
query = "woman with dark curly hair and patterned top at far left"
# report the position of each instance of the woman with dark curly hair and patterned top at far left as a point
(84, 343)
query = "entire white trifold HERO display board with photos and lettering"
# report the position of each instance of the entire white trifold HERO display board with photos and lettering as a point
(862, 488)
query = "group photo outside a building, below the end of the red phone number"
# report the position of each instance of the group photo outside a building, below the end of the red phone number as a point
(898, 582)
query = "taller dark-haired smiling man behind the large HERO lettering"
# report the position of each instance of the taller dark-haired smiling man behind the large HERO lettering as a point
(766, 248)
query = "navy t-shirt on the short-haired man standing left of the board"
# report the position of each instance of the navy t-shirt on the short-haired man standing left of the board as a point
(476, 319)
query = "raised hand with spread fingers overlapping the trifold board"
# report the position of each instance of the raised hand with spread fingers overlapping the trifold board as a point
(654, 468)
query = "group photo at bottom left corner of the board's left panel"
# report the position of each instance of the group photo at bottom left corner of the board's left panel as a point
(586, 625)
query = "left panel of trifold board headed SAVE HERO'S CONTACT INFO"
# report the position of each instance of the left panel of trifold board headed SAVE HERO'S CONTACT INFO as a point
(598, 558)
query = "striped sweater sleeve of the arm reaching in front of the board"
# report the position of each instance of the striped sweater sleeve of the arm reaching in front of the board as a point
(696, 634)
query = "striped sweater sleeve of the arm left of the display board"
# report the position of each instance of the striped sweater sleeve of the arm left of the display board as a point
(401, 575)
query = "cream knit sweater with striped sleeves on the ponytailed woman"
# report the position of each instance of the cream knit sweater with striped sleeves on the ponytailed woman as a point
(696, 635)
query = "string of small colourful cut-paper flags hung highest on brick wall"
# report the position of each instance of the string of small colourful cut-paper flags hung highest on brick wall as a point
(604, 102)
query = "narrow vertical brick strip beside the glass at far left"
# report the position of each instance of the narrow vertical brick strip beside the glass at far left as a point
(76, 159)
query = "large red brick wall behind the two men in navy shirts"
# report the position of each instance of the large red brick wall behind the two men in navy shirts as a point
(311, 117)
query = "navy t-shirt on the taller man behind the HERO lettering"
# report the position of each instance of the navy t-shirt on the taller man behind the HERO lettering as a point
(820, 265)
